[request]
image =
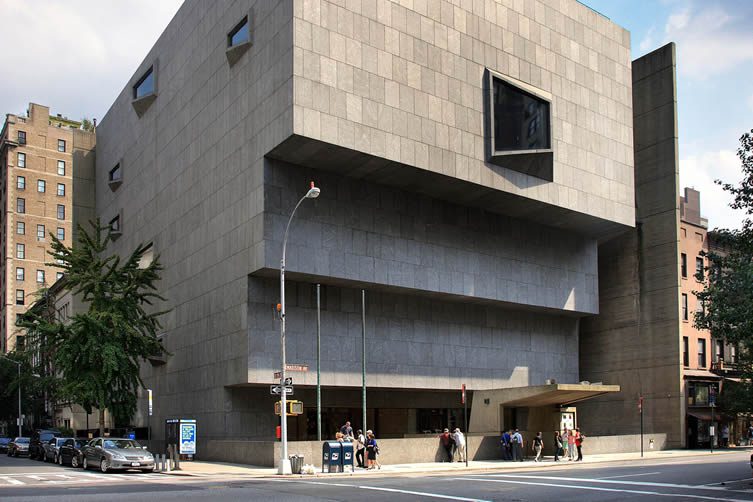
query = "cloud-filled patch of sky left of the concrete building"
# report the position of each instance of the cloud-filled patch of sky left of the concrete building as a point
(75, 55)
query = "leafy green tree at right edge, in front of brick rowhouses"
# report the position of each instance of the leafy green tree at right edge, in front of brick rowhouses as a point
(728, 293)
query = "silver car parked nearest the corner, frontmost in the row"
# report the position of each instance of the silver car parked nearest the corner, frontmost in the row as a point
(117, 453)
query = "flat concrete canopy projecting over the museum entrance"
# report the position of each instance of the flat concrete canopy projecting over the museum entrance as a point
(557, 394)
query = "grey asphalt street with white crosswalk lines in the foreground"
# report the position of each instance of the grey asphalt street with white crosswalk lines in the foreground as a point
(724, 477)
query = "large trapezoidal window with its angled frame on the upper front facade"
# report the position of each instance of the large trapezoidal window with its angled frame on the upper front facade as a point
(520, 127)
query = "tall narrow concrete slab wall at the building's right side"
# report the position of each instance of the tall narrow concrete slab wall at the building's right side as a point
(635, 340)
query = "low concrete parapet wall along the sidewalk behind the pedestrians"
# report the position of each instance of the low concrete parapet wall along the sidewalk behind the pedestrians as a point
(406, 450)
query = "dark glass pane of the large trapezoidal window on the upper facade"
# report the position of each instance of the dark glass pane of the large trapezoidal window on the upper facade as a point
(521, 120)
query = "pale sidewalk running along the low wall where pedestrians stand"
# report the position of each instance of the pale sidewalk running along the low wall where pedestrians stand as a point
(210, 469)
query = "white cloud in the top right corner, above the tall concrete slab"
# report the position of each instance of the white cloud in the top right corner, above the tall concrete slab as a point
(711, 37)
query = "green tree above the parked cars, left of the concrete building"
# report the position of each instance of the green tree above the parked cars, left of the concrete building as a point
(96, 354)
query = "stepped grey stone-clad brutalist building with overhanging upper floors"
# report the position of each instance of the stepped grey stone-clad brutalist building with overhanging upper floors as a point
(471, 156)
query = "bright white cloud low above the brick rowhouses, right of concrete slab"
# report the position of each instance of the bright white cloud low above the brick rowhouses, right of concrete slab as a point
(700, 171)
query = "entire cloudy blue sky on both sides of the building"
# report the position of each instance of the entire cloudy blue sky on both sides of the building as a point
(77, 55)
